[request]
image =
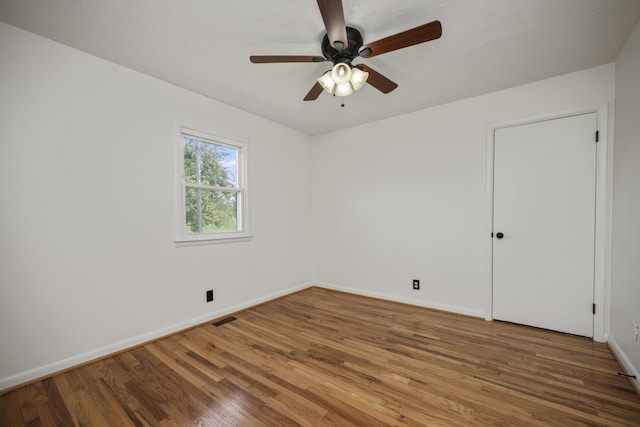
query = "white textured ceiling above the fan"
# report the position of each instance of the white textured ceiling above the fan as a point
(204, 46)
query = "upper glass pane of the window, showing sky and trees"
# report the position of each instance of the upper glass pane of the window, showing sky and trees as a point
(210, 164)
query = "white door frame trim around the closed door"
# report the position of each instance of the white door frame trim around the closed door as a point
(604, 170)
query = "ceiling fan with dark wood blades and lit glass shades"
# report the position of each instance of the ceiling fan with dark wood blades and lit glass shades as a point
(342, 44)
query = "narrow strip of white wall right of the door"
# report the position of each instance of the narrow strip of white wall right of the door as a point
(625, 253)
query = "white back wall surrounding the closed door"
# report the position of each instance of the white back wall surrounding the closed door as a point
(405, 198)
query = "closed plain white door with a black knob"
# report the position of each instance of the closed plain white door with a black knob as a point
(544, 222)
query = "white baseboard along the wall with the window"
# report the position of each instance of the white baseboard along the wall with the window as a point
(61, 365)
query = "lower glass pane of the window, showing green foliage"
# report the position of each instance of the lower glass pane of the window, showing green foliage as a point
(210, 211)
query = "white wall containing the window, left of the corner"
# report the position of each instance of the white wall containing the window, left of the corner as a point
(87, 260)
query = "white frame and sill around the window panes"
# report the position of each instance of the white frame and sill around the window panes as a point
(242, 233)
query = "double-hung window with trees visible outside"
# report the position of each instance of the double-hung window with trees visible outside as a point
(213, 188)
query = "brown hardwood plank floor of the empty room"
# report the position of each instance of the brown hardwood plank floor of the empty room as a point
(321, 357)
